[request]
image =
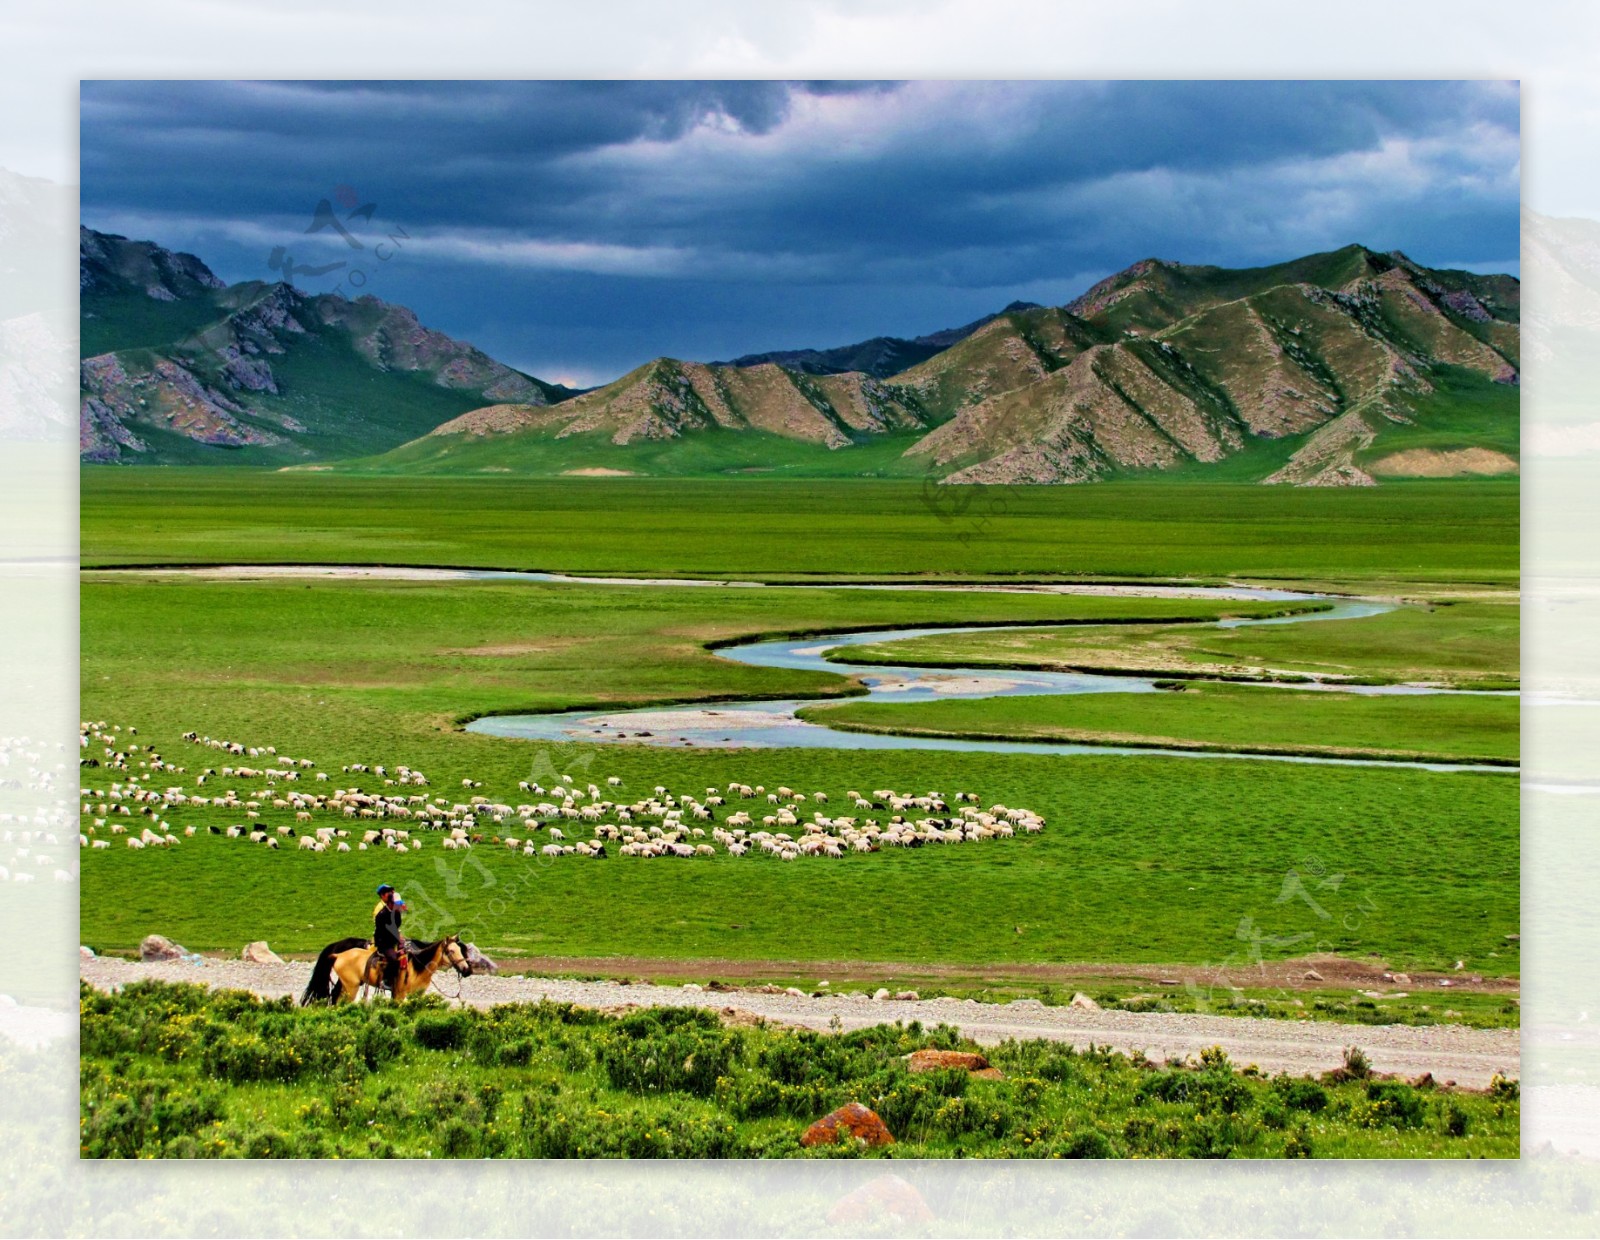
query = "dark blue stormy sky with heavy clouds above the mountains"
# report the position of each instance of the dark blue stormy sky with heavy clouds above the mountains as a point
(577, 230)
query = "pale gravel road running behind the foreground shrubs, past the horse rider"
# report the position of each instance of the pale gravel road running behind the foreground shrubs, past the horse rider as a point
(1468, 1057)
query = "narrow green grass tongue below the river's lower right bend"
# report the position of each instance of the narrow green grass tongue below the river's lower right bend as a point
(1230, 718)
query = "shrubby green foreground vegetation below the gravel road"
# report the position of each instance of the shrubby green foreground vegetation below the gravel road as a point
(170, 1071)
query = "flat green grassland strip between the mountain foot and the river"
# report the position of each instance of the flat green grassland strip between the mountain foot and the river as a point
(1450, 534)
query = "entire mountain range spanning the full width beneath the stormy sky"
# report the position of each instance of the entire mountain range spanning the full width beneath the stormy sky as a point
(1337, 369)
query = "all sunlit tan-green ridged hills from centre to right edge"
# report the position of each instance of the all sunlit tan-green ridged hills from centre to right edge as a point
(1332, 370)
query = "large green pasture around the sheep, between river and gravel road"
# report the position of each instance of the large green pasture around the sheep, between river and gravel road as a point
(372, 673)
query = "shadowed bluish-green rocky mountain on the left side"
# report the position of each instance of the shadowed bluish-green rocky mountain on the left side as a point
(180, 369)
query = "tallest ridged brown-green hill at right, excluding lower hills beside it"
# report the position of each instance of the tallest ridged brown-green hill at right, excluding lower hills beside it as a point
(1308, 372)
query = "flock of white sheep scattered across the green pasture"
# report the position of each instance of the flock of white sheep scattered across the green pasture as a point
(564, 820)
